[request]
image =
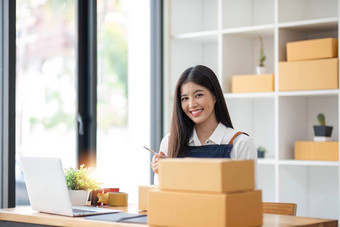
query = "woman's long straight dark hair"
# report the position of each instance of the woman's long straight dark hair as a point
(181, 125)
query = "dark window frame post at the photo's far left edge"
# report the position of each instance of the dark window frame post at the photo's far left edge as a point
(7, 102)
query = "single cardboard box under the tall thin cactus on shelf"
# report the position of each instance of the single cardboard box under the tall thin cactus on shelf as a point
(252, 83)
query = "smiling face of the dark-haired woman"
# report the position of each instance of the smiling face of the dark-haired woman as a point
(198, 103)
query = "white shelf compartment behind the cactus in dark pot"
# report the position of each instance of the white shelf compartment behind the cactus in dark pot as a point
(298, 114)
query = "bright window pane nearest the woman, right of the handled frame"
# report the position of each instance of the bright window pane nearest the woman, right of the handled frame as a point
(123, 108)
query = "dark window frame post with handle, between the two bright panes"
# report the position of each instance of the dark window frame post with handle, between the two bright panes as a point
(87, 82)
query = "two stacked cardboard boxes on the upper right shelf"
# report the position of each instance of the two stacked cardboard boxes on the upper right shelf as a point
(310, 65)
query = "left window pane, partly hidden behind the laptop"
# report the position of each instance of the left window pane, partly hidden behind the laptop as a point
(45, 85)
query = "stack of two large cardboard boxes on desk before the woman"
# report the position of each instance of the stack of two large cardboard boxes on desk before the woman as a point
(205, 192)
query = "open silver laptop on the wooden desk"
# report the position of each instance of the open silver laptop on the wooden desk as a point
(47, 188)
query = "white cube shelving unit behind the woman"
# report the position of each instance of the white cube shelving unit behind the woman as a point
(223, 34)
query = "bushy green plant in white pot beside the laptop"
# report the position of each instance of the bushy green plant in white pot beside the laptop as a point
(80, 182)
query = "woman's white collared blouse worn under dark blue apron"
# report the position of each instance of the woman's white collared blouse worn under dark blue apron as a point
(243, 146)
